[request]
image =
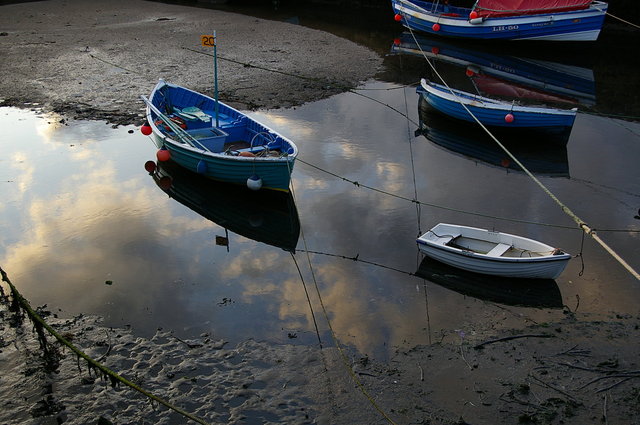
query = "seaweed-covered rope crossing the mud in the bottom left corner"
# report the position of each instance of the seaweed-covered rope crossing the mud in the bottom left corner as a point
(36, 318)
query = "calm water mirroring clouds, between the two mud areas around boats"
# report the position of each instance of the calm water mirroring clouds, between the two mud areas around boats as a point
(85, 229)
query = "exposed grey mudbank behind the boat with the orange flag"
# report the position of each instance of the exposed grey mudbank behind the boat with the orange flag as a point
(93, 59)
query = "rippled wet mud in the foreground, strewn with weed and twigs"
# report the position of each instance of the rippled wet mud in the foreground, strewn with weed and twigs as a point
(576, 371)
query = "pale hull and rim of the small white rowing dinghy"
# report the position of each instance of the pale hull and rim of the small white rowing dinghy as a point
(539, 267)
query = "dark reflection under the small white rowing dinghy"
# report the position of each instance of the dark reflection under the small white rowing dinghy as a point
(540, 293)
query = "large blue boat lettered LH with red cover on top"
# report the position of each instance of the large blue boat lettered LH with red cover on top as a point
(557, 20)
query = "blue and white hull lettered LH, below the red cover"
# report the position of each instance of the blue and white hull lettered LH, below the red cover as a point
(579, 25)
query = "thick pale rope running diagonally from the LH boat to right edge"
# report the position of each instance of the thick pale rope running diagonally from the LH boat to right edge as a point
(581, 223)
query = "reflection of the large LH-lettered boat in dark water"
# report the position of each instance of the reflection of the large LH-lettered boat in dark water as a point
(494, 74)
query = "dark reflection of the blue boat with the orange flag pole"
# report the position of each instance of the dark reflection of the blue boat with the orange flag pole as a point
(264, 216)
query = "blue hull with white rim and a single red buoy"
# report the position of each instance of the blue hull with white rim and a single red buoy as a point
(493, 113)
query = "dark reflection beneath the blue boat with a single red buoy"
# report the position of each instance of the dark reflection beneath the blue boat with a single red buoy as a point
(542, 151)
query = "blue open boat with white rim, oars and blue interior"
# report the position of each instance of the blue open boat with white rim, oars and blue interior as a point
(213, 139)
